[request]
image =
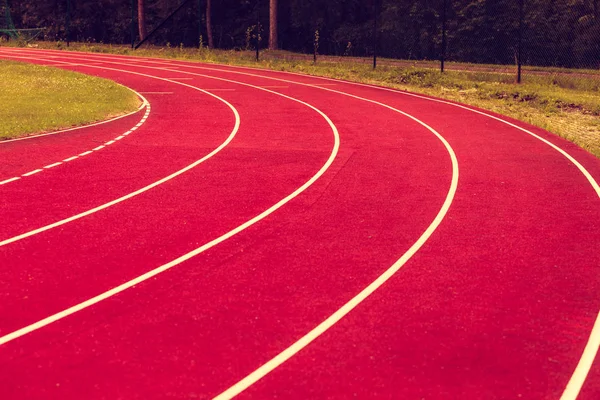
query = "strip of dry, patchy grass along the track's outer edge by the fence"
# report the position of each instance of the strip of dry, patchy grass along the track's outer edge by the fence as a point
(563, 101)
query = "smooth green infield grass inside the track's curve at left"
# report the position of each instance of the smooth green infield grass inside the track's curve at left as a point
(37, 99)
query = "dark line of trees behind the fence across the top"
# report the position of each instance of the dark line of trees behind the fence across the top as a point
(562, 33)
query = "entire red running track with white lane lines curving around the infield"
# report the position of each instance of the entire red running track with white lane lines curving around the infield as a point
(272, 235)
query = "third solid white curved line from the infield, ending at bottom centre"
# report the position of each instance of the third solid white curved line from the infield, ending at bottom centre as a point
(355, 301)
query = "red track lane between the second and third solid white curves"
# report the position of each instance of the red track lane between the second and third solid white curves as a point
(201, 282)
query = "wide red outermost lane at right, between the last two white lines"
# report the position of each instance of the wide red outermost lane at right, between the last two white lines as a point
(516, 215)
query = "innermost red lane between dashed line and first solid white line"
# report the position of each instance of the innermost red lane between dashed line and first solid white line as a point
(113, 173)
